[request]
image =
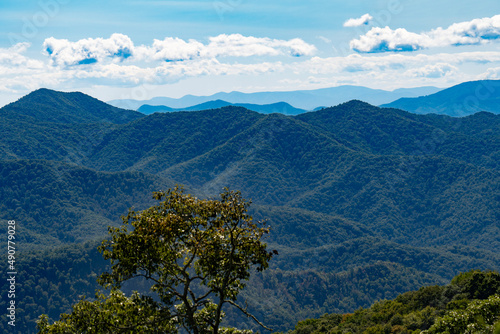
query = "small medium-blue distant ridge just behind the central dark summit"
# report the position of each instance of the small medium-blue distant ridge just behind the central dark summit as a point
(280, 107)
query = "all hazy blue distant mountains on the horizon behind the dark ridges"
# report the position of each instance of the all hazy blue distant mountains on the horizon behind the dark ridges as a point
(460, 100)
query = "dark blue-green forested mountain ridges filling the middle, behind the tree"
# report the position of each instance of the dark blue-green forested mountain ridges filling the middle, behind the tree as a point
(364, 203)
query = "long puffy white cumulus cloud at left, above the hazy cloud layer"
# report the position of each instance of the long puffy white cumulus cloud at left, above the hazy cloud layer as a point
(120, 47)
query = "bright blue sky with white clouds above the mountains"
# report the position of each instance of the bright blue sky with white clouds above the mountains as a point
(131, 49)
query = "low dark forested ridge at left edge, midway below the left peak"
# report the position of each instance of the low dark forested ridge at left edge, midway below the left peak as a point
(57, 203)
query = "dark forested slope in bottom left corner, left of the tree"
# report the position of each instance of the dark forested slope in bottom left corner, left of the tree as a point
(51, 281)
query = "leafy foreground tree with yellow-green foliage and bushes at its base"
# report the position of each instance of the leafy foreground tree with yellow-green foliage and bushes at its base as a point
(197, 254)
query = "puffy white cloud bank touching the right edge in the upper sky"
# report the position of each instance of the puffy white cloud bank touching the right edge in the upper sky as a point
(477, 31)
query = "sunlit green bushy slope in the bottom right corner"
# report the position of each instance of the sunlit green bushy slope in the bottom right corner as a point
(469, 304)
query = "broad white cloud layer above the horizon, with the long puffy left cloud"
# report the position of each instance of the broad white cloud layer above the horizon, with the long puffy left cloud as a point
(147, 65)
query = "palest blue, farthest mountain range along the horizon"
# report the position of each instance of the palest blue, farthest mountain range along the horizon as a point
(303, 99)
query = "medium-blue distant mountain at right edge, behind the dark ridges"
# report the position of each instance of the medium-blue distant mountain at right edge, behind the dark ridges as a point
(460, 100)
